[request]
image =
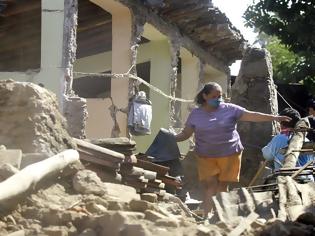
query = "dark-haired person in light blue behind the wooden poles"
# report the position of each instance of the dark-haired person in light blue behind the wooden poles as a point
(275, 148)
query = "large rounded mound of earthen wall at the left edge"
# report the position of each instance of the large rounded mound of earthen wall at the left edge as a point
(30, 119)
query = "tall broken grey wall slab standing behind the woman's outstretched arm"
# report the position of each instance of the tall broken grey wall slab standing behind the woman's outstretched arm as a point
(255, 90)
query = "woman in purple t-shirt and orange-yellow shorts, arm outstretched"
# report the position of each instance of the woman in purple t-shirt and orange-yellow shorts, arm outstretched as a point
(218, 147)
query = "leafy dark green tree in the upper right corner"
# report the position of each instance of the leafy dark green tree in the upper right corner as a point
(293, 23)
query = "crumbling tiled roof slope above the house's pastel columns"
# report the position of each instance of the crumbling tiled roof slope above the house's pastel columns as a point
(205, 24)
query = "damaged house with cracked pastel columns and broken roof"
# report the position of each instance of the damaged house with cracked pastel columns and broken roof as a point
(176, 46)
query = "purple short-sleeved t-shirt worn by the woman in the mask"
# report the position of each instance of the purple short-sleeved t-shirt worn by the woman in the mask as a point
(215, 131)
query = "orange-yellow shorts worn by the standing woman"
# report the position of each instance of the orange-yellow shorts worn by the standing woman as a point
(227, 168)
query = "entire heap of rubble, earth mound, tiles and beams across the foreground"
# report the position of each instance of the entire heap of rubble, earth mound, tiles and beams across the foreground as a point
(88, 190)
